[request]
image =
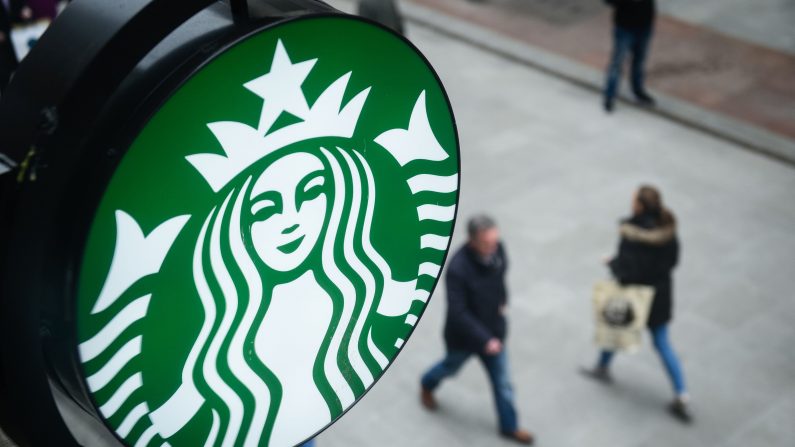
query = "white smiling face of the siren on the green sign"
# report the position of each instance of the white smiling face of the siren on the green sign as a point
(288, 205)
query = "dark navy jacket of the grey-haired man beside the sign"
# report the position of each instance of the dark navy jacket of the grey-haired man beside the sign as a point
(476, 293)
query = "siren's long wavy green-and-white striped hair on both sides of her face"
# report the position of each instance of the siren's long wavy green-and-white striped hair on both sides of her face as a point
(349, 268)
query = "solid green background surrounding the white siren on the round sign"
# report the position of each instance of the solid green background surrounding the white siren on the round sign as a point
(154, 182)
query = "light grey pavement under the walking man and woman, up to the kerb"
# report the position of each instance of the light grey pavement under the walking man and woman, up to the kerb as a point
(539, 154)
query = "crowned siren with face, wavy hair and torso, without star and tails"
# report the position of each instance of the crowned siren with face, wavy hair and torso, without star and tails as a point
(294, 220)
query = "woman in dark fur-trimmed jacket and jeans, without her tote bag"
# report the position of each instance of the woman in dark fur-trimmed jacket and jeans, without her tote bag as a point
(647, 254)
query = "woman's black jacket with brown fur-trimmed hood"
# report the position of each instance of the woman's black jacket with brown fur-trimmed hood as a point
(648, 261)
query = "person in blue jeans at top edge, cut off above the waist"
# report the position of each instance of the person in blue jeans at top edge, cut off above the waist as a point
(633, 23)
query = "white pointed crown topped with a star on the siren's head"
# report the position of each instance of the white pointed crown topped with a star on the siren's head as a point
(281, 91)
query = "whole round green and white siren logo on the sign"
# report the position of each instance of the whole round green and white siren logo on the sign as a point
(270, 238)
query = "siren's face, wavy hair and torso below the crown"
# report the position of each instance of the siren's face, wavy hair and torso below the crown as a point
(287, 231)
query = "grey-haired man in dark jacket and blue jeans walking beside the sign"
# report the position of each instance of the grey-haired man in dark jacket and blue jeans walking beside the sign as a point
(476, 299)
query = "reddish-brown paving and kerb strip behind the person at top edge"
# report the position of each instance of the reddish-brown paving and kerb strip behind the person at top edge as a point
(739, 90)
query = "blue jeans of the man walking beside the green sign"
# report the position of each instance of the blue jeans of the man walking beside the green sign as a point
(497, 369)
